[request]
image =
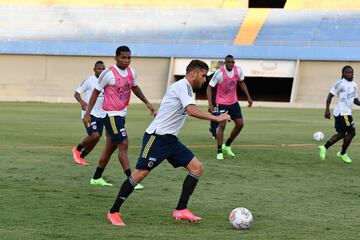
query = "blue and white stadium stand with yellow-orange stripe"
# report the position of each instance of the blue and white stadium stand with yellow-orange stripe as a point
(290, 34)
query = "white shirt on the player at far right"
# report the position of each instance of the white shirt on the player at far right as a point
(346, 91)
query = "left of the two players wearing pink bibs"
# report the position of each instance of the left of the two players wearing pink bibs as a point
(117, 82)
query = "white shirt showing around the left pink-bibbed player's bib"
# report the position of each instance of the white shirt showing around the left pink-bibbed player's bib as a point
(107, 78)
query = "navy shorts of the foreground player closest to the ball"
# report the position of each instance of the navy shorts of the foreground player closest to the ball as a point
(156, 148)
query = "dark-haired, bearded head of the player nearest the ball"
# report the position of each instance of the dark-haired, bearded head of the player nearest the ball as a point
(196, 73)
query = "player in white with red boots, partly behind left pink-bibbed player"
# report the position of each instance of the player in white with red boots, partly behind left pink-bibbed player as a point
(95, 129)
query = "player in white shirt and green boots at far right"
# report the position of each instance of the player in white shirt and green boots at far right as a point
(346, 91)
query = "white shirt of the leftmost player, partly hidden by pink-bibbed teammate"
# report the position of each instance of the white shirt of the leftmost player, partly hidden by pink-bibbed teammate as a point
(88, 86)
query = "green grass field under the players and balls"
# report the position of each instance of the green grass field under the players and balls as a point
(276, 174)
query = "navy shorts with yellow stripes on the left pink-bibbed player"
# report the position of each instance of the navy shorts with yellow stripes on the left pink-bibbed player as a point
(115, 126)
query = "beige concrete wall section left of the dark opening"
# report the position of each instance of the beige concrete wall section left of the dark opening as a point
(55, 78)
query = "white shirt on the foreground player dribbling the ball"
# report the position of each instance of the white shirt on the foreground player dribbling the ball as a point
(172, 113)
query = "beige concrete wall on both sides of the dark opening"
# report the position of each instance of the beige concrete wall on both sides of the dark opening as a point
(55, 78)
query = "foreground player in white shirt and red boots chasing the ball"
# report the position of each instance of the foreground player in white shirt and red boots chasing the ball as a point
(160, 142)
